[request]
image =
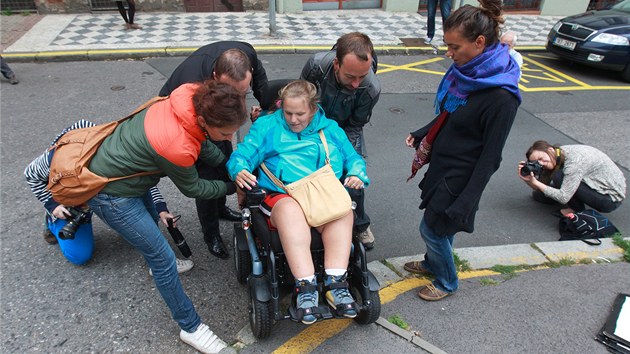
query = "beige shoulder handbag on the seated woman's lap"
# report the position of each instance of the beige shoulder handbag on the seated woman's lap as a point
(321, 195)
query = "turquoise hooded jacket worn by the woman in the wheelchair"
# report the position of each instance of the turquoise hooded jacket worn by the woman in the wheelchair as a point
(291, 156)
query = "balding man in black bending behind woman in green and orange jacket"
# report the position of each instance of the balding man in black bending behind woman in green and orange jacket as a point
(237, 64)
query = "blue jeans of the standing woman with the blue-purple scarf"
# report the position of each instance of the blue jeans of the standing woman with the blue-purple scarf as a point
(439, 258)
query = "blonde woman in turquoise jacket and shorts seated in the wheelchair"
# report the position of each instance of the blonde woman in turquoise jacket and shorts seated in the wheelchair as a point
(288, 142)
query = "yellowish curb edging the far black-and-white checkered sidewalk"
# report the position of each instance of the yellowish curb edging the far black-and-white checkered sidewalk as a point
(142, 53)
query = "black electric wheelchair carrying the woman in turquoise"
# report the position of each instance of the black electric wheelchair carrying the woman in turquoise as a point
(261, 264)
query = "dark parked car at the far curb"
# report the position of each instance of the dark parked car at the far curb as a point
(596, 38)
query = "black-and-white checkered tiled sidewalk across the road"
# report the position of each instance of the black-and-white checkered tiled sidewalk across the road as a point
(160, 30)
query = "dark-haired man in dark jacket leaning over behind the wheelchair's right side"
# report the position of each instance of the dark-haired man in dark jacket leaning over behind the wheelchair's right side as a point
(346, 80)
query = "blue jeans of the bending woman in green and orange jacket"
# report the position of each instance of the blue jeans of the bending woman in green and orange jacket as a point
(135, 219)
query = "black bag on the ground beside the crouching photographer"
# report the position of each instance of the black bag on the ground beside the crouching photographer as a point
(588, 226)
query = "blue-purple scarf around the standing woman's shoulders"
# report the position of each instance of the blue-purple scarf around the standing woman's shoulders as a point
(492, 68)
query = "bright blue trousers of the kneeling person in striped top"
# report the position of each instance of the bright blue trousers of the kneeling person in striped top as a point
(78, 250)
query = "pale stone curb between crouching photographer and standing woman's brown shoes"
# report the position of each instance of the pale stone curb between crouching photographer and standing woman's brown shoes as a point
(390, 271)
